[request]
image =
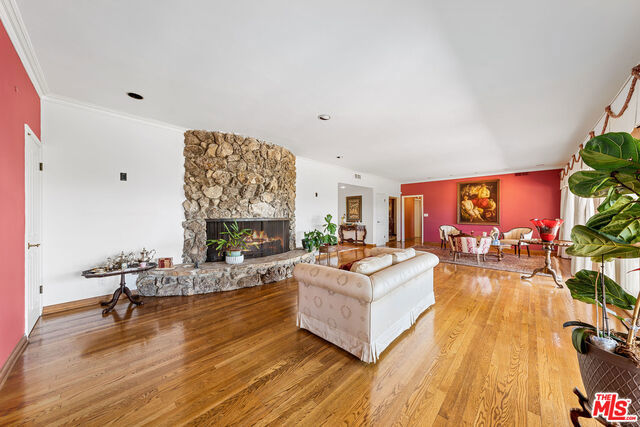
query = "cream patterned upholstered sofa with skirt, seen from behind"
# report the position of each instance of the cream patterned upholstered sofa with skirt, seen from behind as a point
(364, 314)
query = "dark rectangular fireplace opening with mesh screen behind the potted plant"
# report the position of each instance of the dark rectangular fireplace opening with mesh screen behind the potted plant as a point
(268, 236)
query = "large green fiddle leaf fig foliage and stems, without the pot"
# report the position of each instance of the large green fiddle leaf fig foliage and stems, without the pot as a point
(613, 232)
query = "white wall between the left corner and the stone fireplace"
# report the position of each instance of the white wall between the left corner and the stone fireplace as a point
(89, 213)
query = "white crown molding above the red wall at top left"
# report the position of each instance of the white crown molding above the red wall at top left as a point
(17, 31)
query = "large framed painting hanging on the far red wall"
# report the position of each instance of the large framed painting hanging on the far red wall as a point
(479, 202)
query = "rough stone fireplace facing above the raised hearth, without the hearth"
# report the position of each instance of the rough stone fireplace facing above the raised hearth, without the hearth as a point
(233, 177)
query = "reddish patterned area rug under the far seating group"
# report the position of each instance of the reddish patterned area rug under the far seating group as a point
(509, 262)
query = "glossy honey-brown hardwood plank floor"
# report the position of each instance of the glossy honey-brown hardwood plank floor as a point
(491, 351)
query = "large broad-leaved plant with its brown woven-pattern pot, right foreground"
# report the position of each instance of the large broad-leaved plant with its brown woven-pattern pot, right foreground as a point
(609, 361)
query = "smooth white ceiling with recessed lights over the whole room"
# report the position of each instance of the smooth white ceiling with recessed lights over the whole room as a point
(417, 90)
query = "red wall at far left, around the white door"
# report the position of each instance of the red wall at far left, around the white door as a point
(19, 104)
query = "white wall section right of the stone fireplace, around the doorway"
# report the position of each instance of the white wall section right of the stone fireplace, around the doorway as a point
(317, 193)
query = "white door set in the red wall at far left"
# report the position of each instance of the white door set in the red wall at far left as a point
(33, 223)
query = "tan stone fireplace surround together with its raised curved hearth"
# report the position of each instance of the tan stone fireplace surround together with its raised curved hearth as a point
(228, 176)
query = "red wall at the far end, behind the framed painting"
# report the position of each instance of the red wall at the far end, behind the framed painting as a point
(534, 195)
